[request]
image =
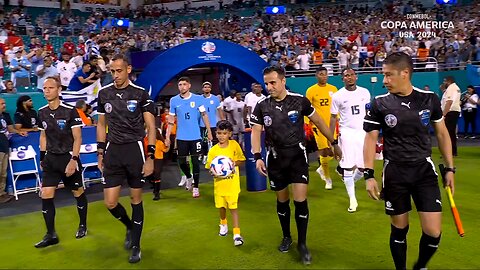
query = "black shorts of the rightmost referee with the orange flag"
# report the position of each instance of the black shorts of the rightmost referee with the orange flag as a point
(418, 181)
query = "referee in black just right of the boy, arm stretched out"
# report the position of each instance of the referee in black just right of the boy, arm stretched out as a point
(281, 114)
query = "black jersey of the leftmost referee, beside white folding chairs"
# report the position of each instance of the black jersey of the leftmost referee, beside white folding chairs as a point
(58, 125)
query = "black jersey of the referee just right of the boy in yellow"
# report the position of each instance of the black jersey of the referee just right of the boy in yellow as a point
(283, 120)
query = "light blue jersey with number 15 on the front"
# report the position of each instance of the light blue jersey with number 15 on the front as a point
(188, 112)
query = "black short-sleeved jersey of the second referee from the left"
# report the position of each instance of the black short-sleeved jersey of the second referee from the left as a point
(123, 109)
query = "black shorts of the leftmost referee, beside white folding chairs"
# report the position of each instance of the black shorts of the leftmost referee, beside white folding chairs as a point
(54, 166)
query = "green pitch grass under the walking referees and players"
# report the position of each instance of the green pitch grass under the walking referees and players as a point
(182, 232)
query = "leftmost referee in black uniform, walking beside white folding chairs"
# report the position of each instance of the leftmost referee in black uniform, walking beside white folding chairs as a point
(61, 138)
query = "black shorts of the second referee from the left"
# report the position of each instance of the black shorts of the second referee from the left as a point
(123, 161)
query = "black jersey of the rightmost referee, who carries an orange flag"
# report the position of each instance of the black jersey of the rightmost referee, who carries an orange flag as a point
(405, 123)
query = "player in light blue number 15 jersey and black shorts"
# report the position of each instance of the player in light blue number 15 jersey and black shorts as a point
(188, 108)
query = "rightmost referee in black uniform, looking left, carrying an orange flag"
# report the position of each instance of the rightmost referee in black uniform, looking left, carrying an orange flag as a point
(405, 115)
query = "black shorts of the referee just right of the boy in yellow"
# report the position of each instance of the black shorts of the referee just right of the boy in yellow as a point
(286, 166)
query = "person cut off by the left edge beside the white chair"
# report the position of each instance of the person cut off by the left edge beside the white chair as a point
(6, 125)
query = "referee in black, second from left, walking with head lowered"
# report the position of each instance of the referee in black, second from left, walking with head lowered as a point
(125, 108)
